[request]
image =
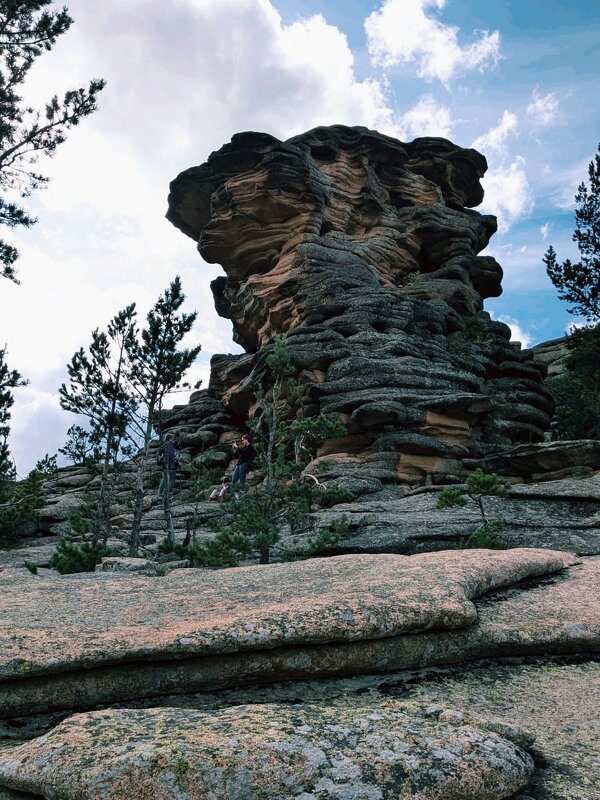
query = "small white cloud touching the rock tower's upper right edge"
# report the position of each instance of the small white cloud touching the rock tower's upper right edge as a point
(507, 194)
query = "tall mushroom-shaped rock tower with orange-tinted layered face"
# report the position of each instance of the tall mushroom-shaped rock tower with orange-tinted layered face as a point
(365, 252)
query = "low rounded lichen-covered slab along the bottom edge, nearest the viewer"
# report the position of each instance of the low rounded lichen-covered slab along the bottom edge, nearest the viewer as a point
(368, 751)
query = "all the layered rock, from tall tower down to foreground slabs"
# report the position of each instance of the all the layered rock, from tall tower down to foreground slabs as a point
(398, 665)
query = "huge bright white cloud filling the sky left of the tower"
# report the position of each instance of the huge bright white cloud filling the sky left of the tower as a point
(181, 81)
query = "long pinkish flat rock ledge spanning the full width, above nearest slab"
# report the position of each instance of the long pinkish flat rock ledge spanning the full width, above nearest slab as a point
(351, 615)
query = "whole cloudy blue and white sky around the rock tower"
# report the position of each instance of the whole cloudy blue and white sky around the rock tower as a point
(516, 80)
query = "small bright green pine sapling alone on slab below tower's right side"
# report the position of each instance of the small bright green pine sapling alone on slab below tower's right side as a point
(479, 484)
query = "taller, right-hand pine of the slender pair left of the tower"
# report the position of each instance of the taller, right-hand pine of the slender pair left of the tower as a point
(158, 368)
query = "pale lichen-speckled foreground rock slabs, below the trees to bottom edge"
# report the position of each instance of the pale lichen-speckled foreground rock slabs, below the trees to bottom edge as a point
(109, 638)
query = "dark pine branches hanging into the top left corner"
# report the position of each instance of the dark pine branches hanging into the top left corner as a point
(27, 29)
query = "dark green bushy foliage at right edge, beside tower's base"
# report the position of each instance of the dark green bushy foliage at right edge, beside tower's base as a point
(577, 391)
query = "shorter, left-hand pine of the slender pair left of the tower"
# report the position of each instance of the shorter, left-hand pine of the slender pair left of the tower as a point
(99, 390)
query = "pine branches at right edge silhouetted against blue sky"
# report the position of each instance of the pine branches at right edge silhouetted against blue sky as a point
(579, 283)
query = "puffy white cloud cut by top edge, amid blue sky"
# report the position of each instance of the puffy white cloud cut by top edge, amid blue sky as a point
(402, 31)
